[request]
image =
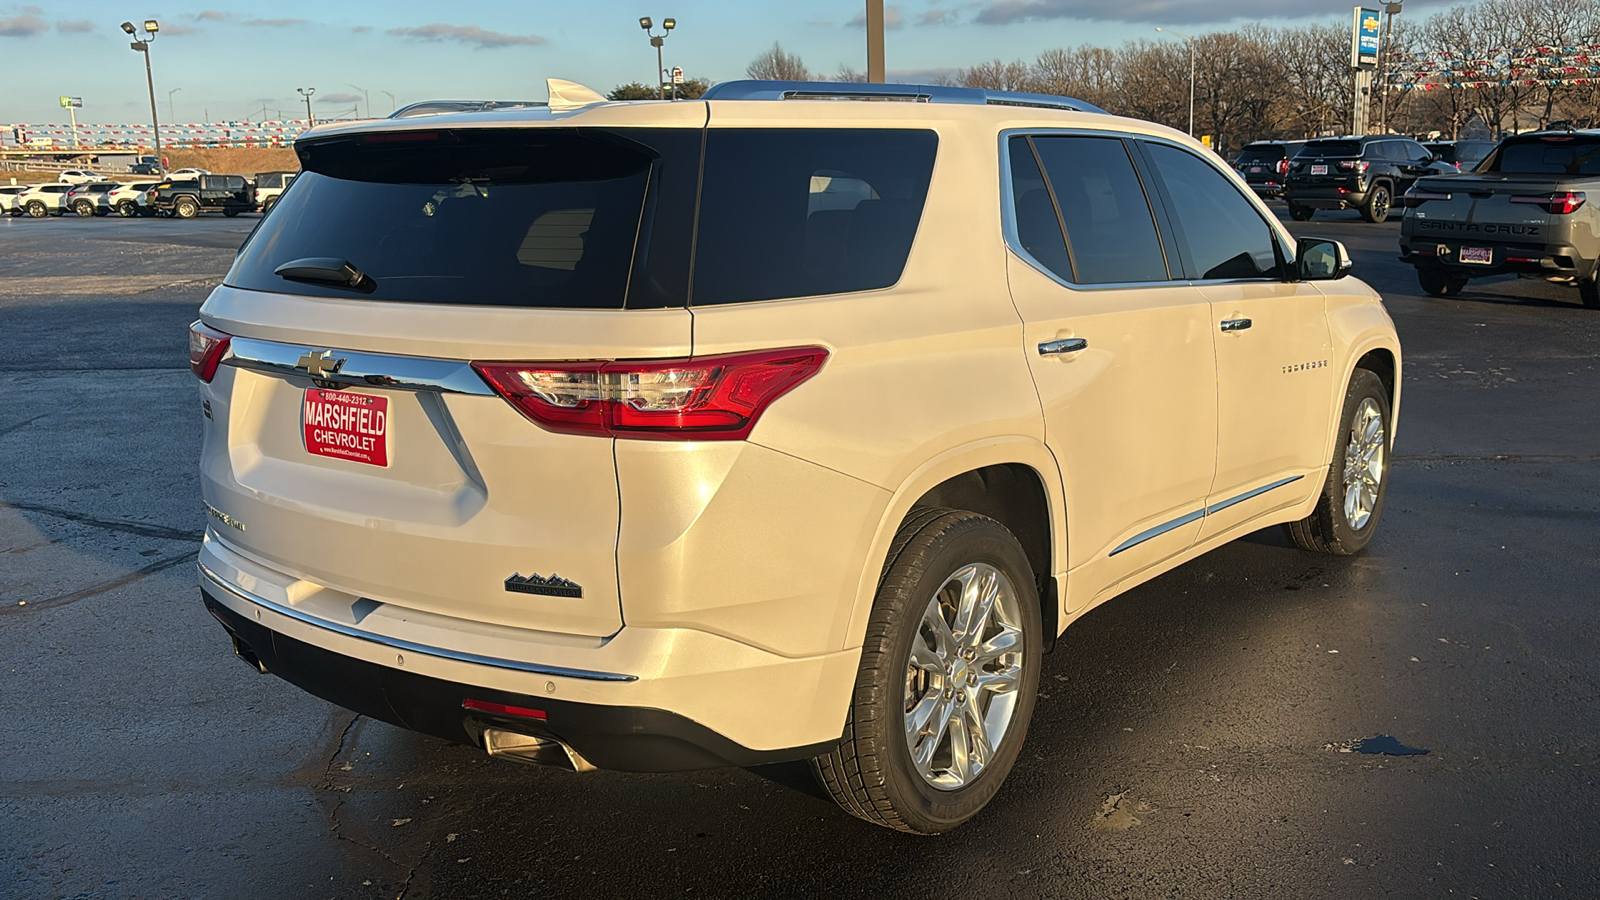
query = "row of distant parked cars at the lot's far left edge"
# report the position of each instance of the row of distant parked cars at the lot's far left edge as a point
(180, 198)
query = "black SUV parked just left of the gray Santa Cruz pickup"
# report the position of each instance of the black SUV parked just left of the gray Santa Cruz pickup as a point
(1358, 174)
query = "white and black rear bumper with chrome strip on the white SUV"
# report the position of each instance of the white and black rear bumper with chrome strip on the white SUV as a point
(644, 701)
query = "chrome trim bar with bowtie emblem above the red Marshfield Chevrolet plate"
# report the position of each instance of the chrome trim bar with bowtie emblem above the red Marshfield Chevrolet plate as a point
(361, 369)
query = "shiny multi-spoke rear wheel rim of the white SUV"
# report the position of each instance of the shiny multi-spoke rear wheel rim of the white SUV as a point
(962, 677)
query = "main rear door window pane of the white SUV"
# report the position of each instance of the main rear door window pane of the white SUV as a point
(1111, 231)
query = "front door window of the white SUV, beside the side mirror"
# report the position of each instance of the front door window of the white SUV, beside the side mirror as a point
(1223, 233)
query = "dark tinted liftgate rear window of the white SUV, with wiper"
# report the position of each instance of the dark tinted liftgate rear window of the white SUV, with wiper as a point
(535, 217)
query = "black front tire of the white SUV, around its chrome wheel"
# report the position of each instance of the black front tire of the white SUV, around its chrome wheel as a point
(1329, 529)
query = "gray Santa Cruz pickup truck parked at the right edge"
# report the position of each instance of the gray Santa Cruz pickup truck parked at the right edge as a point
(1524, 211)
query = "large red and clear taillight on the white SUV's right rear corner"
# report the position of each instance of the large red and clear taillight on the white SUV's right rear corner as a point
(716, 398)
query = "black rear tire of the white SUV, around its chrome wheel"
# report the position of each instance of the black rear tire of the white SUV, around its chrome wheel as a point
(871, 774)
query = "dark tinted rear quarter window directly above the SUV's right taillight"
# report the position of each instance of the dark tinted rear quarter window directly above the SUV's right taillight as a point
(806, 212)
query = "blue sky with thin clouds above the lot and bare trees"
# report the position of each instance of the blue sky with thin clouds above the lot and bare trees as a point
(222, 60)
